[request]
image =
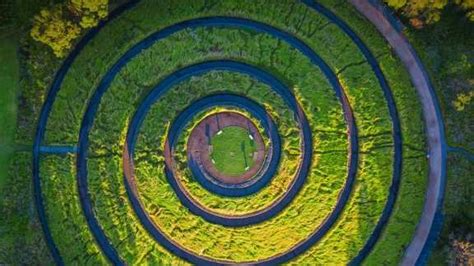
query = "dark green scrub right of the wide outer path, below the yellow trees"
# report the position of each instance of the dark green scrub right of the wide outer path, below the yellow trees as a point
(446, 50)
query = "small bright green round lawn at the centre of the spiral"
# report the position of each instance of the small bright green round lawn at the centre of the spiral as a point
(232, 150)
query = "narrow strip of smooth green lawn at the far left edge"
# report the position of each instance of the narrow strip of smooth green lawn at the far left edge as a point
(8, 91)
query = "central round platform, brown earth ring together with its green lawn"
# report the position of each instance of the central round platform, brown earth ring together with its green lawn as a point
(228, 147)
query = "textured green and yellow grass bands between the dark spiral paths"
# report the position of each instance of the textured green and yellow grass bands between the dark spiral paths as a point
(328, 167)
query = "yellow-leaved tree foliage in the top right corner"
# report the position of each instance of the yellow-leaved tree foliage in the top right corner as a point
(422, 12)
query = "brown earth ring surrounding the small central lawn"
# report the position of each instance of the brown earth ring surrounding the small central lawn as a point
(198, 146)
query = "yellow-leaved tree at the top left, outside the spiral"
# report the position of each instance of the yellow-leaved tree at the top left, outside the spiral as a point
(60, 25)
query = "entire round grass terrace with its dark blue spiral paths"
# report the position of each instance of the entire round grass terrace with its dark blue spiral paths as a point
(343, 177)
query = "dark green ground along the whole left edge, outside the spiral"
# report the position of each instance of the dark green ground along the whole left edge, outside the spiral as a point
(21, 238)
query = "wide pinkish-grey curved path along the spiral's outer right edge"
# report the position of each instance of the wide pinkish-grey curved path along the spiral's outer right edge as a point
(373, 11)
